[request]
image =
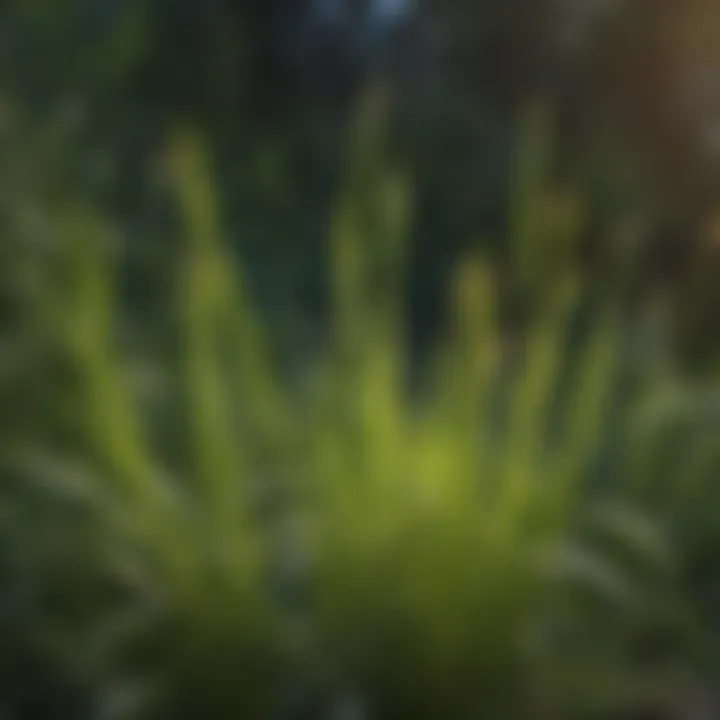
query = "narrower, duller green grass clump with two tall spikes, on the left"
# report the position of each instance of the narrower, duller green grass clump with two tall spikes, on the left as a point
(182, 550)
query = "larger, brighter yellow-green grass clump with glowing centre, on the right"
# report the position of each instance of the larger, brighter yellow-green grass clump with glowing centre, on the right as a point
(433, 522)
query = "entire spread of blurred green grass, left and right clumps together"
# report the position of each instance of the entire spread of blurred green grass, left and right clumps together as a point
(447, 560)
